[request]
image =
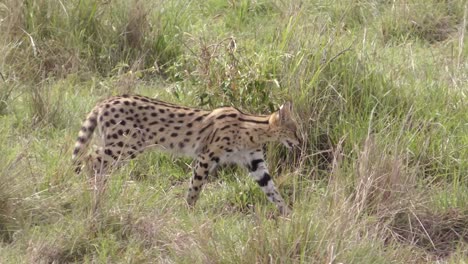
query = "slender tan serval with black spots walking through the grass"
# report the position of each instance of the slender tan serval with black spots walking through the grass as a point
(130, 124)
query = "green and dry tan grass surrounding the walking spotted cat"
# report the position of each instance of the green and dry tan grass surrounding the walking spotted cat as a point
(379, 88)
